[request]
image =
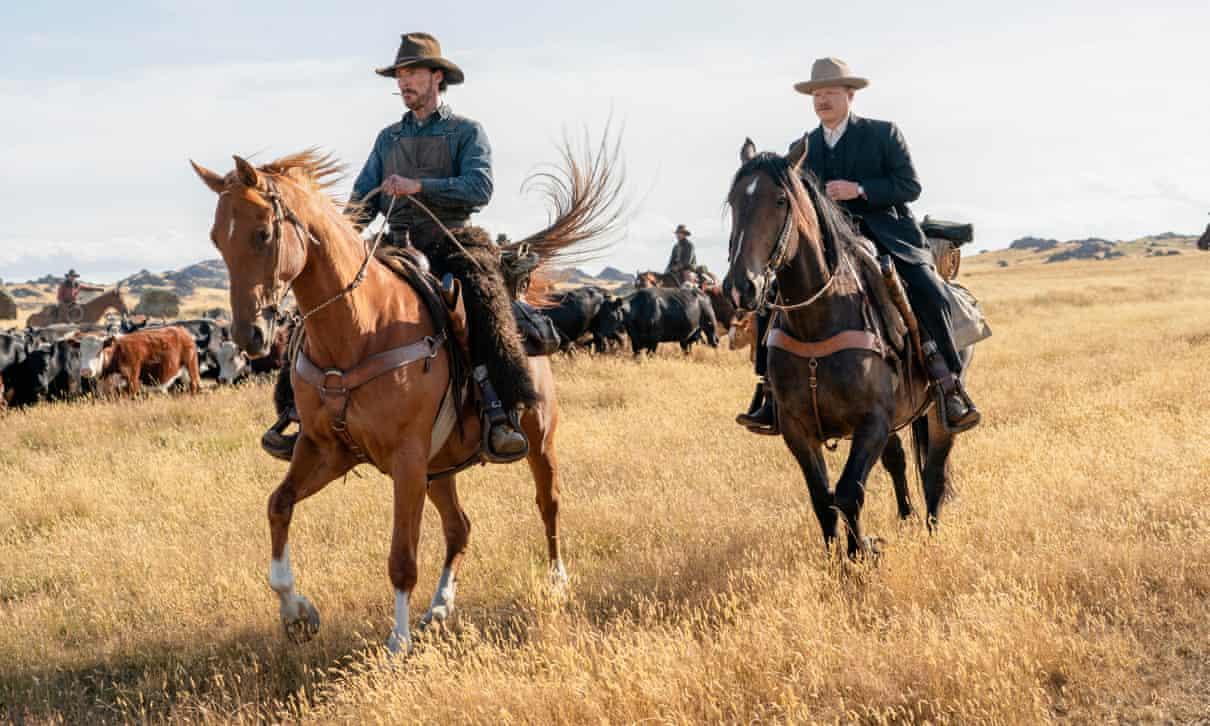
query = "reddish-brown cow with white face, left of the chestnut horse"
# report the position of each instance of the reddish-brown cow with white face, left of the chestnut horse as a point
(159, 358)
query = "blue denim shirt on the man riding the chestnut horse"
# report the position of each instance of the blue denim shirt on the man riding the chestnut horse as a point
(470, 152)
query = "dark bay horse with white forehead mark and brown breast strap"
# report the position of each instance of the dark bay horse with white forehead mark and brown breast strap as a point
(786, 229)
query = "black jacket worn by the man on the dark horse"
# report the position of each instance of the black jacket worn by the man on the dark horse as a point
(875, 155)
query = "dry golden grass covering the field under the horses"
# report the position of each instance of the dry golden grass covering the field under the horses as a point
(1070, 581)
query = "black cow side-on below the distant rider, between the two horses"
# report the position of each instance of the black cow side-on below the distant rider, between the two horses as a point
(666, 315)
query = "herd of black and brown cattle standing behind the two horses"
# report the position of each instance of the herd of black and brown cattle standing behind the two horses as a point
(124, 355)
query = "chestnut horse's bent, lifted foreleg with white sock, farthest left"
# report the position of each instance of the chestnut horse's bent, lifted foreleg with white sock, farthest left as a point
(310, 471)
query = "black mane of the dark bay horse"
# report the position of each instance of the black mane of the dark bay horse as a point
(816, 216)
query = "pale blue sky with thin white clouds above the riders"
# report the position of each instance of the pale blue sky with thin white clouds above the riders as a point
(1061, 119)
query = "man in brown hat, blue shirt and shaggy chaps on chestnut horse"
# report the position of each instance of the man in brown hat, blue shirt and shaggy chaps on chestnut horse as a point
(445, 162)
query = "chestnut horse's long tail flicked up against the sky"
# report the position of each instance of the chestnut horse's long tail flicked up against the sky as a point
(585, 197)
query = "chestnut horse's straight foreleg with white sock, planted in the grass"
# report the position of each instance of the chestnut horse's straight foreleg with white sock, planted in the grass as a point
(411, 481)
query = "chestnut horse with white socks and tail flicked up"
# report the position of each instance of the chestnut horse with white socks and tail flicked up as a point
(278, 229)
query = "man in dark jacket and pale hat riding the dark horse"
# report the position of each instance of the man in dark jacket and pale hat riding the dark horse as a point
(865, 166)
